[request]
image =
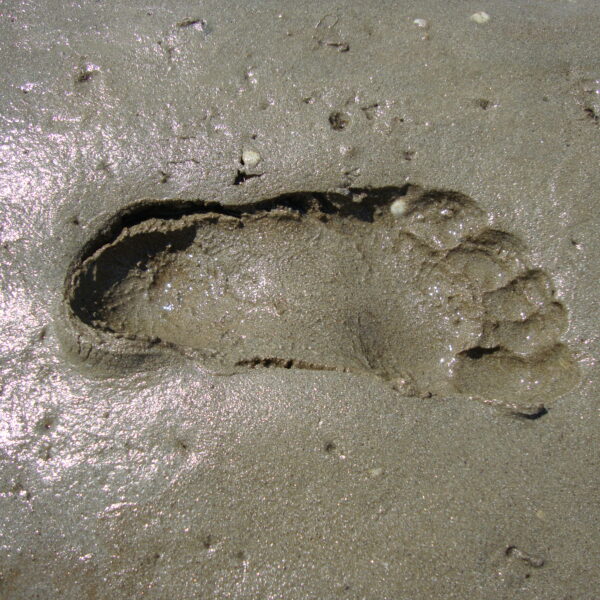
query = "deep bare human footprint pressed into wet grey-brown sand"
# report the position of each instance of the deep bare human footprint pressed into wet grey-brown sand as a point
(405, 284)
